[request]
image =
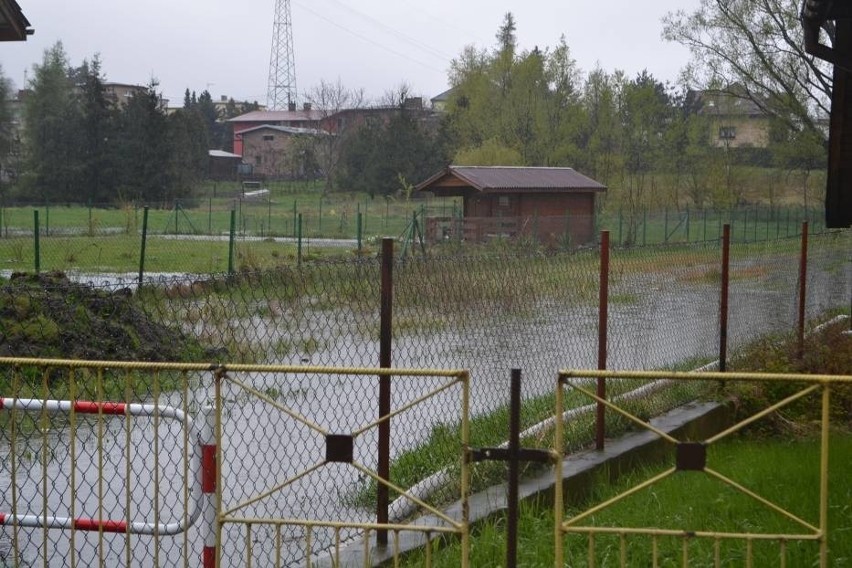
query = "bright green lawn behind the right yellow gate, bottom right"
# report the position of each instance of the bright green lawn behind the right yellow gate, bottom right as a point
(782, 470)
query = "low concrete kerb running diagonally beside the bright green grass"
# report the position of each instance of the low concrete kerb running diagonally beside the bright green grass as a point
(694, 421)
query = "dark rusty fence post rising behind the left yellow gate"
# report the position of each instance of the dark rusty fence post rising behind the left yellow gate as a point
(385, 344)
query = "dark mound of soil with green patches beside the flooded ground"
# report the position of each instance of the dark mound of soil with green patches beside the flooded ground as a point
(49, 316)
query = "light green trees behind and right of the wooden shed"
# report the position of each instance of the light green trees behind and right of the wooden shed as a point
(647, 139)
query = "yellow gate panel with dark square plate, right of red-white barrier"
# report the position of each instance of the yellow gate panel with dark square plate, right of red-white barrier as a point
(270, 520)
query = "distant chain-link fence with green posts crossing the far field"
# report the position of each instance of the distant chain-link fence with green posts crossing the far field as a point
(231, 234)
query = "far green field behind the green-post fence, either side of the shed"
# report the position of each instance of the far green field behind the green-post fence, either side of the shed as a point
(109, 239)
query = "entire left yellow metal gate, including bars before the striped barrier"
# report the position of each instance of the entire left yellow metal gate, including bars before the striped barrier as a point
(170, 464)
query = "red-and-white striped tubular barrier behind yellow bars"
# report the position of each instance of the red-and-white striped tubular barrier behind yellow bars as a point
(88, 524)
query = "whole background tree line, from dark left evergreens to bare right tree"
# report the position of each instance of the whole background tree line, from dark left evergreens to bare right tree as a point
(645, 139)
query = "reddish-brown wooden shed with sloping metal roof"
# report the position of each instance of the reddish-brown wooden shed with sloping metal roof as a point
(551, 205)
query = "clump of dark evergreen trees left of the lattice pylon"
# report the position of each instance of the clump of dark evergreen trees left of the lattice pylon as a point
(81, 145)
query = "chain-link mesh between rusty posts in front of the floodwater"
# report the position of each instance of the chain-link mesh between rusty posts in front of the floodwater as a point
(483, 311)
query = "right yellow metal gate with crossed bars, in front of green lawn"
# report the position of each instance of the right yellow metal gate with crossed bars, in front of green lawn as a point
(692, 455)
